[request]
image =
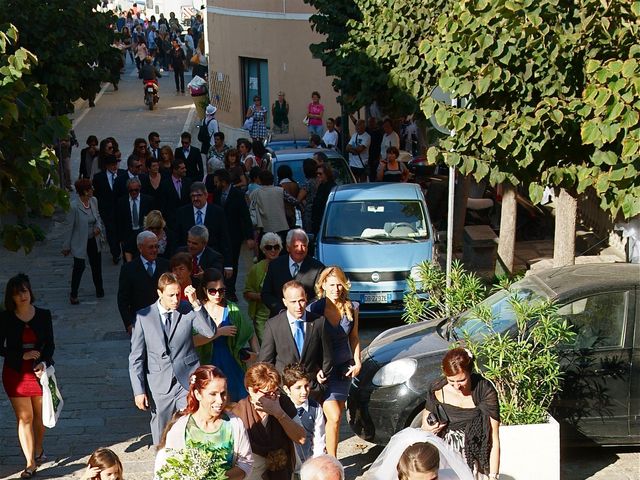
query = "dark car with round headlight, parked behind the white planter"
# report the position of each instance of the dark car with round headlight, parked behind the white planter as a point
(600, 403)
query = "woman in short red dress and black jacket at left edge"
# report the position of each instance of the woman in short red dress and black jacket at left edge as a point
(26, 343)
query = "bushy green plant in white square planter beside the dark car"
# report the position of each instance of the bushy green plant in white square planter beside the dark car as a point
(524, 367)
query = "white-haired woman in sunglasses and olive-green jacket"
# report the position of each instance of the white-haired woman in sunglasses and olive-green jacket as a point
(271, 246)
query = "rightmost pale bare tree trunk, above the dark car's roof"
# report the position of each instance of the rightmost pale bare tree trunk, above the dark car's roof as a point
(564, 241)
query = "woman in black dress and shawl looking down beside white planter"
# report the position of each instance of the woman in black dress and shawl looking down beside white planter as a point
(463, 408)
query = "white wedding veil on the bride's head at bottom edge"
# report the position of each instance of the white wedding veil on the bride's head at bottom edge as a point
(452, 465)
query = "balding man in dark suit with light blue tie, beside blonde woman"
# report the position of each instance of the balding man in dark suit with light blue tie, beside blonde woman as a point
(296, 336)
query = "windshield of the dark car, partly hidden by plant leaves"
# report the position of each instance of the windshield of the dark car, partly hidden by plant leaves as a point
(501, 311)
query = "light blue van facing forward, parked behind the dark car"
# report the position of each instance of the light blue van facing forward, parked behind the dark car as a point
(376, 232)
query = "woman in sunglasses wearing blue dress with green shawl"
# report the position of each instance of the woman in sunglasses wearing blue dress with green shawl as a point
(234, 333)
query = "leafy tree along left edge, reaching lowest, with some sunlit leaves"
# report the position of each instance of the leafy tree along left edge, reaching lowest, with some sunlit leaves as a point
(27, 162)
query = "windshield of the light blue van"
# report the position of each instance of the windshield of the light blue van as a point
(374, 221)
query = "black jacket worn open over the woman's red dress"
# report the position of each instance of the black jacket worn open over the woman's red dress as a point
(11, 328)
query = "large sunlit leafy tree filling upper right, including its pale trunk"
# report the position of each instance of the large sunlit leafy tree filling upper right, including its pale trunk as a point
(551, 90)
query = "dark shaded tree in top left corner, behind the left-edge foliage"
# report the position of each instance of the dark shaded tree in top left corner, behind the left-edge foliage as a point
(73, 44)
